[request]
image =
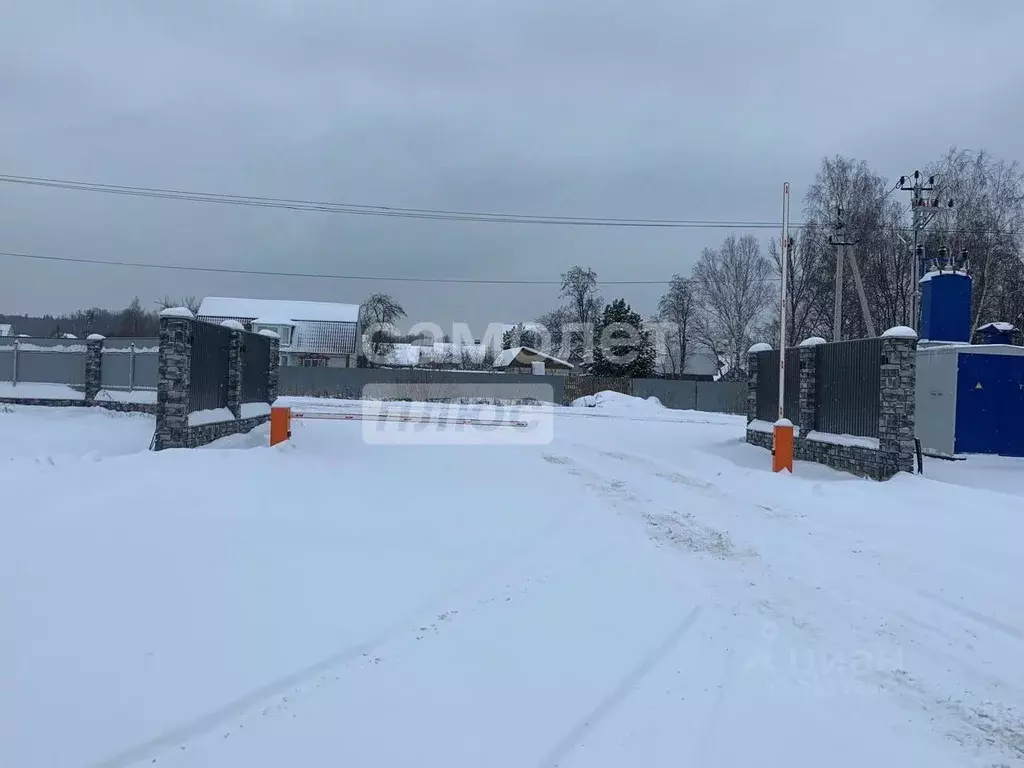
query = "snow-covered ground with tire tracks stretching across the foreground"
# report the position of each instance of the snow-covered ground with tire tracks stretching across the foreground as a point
(641, 592)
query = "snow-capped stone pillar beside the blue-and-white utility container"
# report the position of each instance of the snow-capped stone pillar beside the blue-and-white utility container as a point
(897, 412)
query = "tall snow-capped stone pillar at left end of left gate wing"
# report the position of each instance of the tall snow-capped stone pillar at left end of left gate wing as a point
(174, 378)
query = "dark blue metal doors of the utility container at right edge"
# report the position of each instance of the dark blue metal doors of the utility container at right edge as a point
(991, 405)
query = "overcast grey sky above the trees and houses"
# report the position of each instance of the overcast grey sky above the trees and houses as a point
(647, 109)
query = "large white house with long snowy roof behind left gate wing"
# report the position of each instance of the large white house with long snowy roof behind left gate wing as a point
(313, 333)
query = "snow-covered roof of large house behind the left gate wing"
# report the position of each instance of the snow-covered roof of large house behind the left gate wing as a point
(319, 327)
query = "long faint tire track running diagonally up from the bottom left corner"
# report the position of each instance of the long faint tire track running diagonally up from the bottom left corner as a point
(293, 682)
